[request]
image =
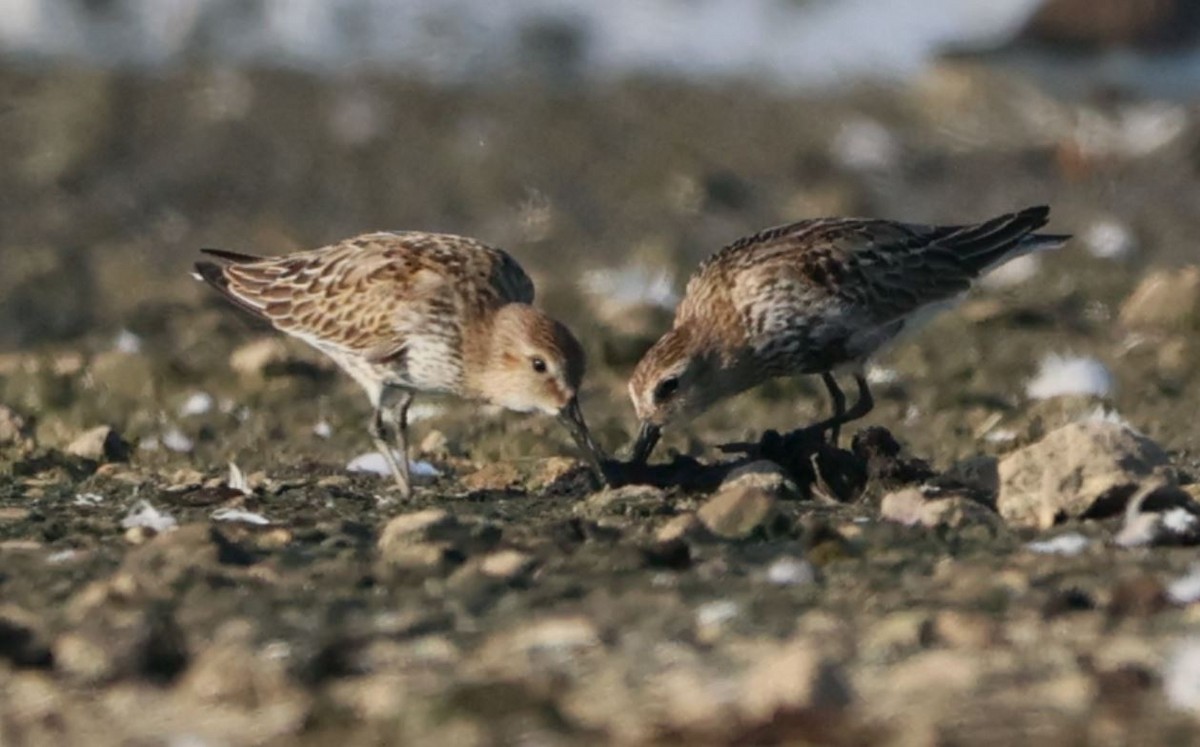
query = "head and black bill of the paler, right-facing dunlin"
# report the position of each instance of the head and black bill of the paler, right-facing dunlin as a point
(536, 364)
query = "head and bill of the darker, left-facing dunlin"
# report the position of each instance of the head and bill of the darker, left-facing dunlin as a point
(676, 381)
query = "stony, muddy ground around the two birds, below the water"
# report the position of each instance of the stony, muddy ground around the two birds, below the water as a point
(1006, 554)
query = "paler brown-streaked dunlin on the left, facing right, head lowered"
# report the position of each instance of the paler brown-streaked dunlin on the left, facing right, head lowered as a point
(412, 313)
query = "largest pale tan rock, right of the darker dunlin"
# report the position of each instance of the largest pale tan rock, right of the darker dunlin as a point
(1088, 469)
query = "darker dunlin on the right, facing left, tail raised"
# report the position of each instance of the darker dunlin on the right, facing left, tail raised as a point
(814, 297)
